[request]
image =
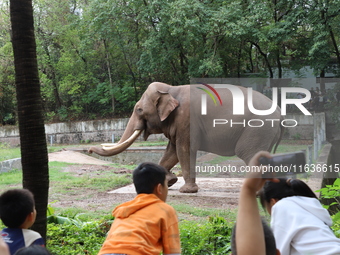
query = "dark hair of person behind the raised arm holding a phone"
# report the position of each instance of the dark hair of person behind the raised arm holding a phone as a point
(269, 240)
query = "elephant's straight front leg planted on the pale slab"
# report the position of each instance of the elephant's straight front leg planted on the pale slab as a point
(187, 160)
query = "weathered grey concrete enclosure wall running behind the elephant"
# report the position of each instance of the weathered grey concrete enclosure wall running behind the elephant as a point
(104, 131)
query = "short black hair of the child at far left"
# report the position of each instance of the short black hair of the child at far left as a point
(15, 206)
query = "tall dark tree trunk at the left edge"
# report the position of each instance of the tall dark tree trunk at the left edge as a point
(34, 156)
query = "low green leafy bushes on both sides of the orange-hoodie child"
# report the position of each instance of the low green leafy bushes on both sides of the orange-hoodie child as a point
(71, 236)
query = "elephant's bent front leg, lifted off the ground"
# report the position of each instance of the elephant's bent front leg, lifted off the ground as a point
(168, 161)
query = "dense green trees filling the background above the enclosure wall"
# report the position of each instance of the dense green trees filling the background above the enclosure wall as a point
(96, 57)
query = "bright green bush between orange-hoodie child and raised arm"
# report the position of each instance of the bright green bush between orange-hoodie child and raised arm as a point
(211, 237)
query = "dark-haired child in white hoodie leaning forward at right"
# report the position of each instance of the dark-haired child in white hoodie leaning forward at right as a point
(300, 224)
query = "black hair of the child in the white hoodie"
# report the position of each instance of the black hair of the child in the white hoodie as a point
(284, 188)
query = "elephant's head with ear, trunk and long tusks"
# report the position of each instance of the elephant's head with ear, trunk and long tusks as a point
(148, 115)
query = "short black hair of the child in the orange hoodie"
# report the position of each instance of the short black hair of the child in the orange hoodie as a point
(147, 176)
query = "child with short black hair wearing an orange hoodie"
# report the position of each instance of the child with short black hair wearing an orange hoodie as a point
(145, 225)
